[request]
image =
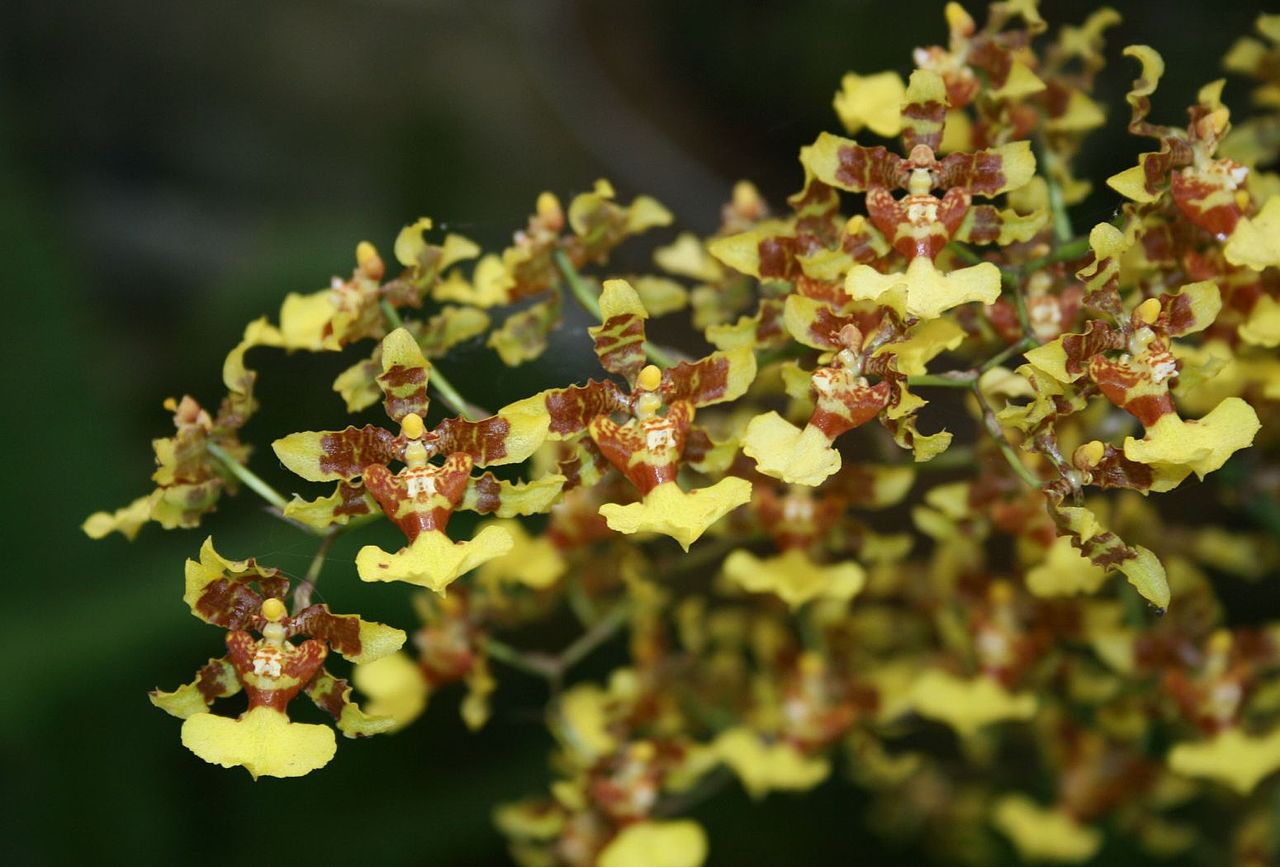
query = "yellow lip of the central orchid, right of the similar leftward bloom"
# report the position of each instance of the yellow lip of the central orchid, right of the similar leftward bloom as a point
(684, 517)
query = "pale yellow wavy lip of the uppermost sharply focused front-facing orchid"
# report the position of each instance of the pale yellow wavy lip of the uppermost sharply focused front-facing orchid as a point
(929, 293)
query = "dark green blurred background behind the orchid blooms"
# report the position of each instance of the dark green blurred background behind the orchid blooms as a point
(171, 171)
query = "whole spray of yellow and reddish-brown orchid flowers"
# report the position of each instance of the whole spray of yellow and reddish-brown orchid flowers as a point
(810, 568)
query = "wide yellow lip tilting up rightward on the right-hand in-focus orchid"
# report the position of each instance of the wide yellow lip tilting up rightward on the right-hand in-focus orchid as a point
(1201, 446)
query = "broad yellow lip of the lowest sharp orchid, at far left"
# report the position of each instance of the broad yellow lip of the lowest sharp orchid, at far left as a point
(263, 741)
